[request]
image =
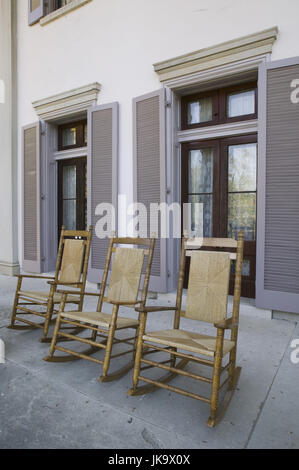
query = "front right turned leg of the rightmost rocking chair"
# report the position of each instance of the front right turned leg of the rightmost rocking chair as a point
(216, 378)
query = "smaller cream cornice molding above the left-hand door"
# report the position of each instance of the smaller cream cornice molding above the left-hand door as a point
(67, 103)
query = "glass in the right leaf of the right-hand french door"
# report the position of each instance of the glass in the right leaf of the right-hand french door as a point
(242, 190)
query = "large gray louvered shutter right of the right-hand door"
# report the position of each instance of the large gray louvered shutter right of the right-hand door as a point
(277, 286)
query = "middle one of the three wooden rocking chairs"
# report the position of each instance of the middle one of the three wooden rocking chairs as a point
(125, 283)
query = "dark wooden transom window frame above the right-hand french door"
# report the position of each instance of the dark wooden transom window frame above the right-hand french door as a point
(219, 106)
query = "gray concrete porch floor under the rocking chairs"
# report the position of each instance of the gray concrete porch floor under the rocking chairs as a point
(59, 406)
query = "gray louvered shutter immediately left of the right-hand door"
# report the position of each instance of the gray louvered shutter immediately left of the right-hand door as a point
(150, 169)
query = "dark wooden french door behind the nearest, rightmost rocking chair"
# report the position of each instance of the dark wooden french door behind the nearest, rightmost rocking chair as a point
(221, 175)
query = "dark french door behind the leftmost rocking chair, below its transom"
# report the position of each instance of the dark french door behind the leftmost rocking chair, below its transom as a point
(72, 194)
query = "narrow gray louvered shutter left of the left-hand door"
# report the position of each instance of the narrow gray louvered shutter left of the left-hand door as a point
(31, 199)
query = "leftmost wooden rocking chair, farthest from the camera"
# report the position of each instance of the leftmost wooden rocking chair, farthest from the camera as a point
(71, 270)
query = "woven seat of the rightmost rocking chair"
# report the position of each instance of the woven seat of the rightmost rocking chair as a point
(189, 341)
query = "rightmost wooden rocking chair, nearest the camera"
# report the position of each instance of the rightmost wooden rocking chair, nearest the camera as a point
(207, 298)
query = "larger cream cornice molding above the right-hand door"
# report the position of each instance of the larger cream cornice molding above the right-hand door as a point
(243, 48)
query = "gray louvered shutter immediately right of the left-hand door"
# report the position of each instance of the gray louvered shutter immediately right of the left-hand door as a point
(102, 176)
